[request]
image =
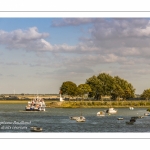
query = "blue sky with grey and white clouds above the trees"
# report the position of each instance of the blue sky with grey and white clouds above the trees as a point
(38, 54)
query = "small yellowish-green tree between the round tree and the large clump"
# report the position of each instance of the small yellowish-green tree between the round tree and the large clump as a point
(83, 89)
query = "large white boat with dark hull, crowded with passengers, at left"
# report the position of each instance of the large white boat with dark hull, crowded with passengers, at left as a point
(36, 104)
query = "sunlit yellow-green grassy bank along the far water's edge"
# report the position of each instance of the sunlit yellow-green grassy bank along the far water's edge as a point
(85, 104)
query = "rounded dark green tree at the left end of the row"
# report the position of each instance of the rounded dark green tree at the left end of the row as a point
(69, 88)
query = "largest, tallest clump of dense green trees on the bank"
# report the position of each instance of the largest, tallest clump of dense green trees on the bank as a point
(104, 84)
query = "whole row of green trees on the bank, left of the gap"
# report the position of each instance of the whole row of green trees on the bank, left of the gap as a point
(98, 86)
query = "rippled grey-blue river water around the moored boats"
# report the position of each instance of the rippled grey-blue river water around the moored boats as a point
(13, 118)
